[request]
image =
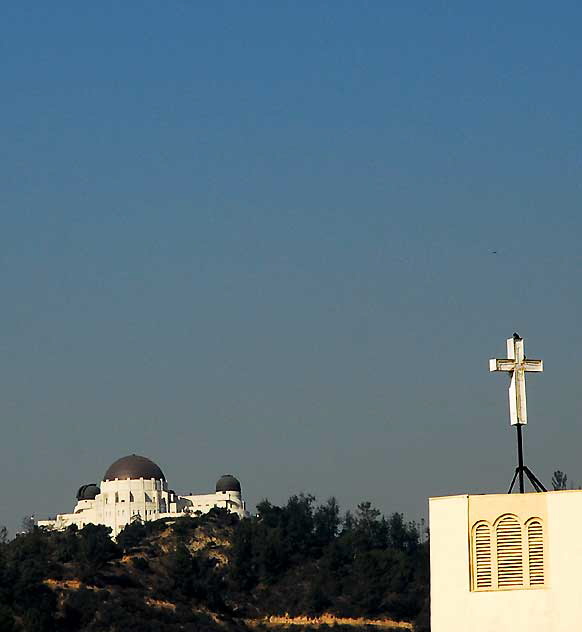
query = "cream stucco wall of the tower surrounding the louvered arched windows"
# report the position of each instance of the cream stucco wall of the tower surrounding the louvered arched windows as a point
(555, 607)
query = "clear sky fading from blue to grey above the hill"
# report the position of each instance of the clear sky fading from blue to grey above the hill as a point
(282, 240)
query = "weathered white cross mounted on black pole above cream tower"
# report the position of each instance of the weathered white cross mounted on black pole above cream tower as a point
(516, 364)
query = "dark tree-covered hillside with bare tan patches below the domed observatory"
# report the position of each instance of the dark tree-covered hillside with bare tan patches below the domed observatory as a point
(214, 572)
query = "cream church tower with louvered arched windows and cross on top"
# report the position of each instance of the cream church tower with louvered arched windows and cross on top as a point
(507, 562)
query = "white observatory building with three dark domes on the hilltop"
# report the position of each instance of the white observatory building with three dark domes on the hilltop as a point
(135, 488)
